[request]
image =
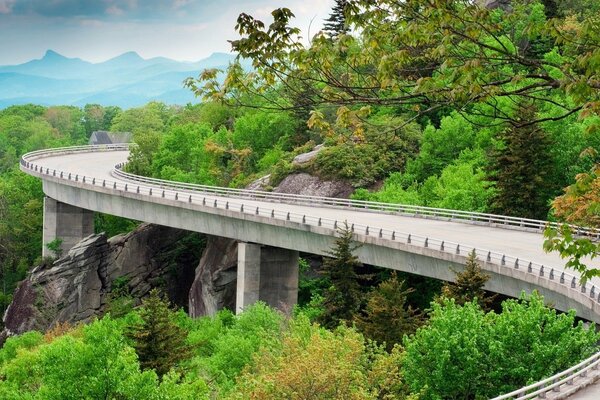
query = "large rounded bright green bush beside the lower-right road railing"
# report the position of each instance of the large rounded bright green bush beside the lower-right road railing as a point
(464, 353)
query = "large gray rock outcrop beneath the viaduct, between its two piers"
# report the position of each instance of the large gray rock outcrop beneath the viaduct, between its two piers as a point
(75, 288)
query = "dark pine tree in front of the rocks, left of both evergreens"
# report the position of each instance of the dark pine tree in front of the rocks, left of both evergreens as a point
(158, 341)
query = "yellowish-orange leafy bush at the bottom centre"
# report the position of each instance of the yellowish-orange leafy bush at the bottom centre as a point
(314, 363)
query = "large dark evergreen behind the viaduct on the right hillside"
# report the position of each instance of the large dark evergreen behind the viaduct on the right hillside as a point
(521, 169)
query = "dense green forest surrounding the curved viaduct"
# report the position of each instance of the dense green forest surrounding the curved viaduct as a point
(441, 103)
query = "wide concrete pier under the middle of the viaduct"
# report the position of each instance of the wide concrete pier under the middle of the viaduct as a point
(268, 274)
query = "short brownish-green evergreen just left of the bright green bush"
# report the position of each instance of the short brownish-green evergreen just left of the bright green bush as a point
(387, 318)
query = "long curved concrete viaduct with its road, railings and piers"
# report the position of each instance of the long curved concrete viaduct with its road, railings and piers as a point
(272, 228)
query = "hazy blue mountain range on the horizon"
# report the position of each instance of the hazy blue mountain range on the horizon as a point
(125, 81)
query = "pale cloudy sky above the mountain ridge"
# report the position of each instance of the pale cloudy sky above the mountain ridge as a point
(97, 30)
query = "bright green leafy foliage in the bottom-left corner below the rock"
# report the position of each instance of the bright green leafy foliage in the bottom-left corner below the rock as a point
(91, 362)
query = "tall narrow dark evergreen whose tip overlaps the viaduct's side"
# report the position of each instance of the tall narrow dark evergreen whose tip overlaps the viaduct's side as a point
(343, 298)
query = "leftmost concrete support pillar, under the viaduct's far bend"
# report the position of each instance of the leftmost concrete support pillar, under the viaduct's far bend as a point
(65, 222)
